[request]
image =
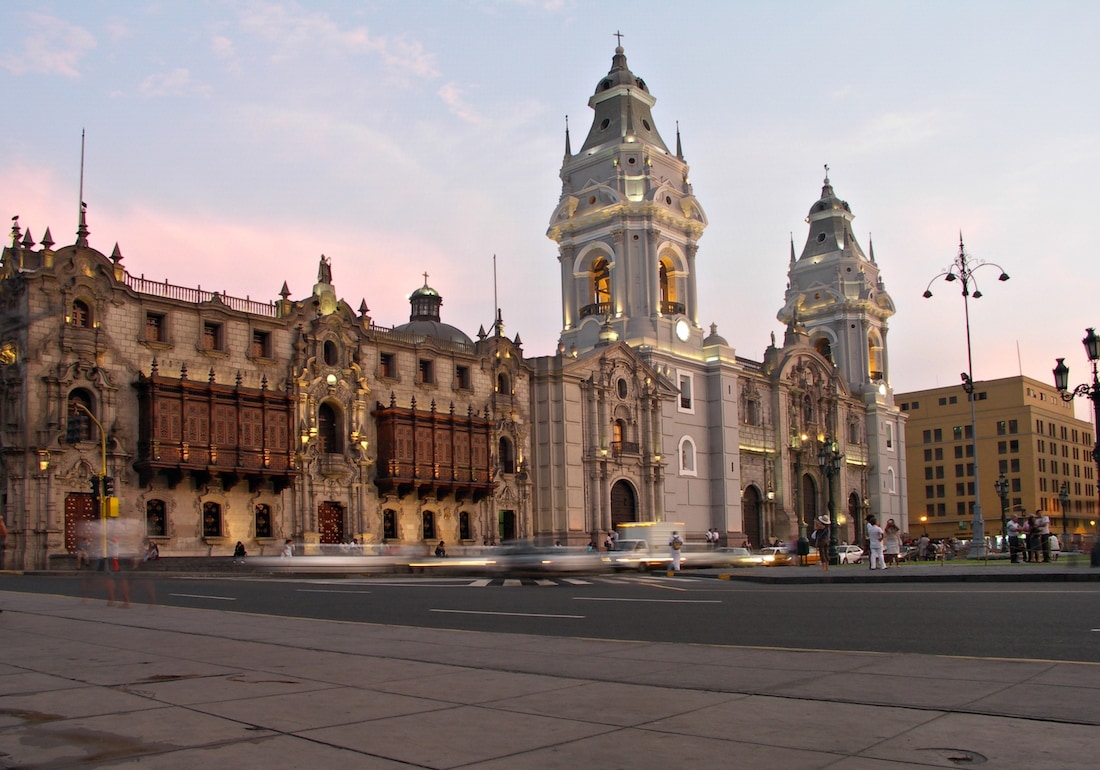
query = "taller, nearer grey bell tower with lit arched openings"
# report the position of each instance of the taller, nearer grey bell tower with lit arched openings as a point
(626, 226)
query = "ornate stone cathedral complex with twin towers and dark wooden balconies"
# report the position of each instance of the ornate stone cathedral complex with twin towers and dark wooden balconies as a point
(196, 420)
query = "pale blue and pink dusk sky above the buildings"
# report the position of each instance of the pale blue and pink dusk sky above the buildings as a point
(230, 145)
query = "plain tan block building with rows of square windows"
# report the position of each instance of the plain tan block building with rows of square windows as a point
(1026, 432)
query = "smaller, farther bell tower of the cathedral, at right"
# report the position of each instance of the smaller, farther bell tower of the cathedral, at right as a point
(837, 294)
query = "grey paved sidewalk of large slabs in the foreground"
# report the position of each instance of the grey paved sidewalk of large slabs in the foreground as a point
(84, 685)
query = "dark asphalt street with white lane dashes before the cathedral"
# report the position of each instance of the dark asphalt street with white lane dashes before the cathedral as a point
(1027, 621)
